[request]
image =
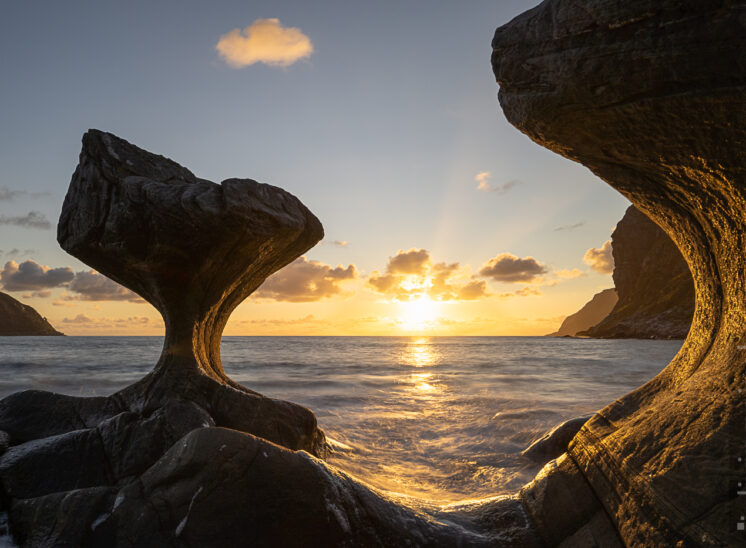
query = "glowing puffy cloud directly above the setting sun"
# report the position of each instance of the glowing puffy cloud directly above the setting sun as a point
(411, 274)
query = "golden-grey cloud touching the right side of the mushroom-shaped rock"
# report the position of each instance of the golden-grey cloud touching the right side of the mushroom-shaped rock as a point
(304, 281)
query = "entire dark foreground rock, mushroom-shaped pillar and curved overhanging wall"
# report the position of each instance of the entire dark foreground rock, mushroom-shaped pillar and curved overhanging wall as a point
(647, 94)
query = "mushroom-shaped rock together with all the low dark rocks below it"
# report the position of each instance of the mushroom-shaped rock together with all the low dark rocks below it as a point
(187, 457)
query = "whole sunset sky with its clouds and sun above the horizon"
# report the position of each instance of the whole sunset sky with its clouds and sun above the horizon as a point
(382, 117)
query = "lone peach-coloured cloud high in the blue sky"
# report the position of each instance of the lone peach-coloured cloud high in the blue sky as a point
(264, 41)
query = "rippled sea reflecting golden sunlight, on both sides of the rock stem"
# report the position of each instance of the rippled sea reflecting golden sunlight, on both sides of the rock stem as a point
(439, 418)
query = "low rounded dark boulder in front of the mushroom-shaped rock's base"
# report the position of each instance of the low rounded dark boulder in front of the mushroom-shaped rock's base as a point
(220, 488)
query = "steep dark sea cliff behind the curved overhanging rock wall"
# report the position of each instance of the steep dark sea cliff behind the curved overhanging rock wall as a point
(655, 288)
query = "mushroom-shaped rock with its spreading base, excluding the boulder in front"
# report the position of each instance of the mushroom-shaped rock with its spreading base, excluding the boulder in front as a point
(195, 250)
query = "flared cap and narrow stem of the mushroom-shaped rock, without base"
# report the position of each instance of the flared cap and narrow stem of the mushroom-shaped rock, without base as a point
(192, 248)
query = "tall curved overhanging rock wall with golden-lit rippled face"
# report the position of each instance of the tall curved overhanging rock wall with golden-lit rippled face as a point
(649, 94)
